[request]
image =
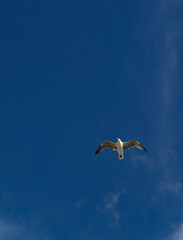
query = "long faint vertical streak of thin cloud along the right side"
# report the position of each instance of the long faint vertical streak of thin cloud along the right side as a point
(166, 138)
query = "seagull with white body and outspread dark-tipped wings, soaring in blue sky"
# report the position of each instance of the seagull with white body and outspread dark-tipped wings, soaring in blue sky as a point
(119, 146)
